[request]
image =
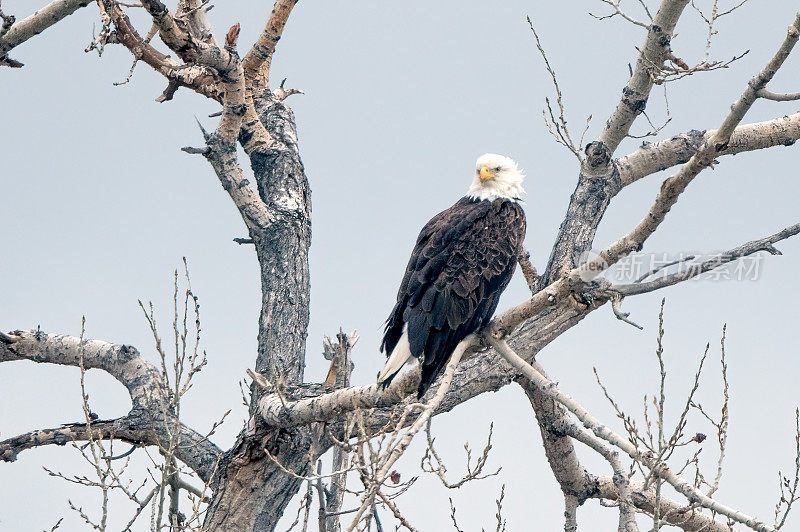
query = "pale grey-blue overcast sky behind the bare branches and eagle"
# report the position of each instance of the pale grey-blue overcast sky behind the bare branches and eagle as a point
(99, 205)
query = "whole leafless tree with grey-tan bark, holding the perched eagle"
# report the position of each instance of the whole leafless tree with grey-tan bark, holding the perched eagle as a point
(293, 423)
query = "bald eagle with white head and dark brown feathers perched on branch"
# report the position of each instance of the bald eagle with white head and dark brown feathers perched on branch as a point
(463, 260)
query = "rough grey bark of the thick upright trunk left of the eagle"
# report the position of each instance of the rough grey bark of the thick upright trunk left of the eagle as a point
(251, 491)
